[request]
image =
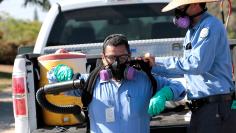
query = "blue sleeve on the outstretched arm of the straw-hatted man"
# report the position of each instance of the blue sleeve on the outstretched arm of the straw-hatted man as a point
(196, 61)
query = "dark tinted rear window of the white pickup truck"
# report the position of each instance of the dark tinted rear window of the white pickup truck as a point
(92, 25)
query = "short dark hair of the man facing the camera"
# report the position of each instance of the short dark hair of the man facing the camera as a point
(116, 40)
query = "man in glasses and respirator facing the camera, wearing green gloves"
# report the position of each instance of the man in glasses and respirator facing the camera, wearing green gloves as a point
(121, 94)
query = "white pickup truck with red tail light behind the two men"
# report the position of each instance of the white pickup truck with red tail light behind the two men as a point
(81, 26)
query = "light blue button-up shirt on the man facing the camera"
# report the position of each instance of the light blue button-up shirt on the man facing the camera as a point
(129, 99)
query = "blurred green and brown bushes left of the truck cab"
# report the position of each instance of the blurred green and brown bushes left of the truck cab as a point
(15, 33)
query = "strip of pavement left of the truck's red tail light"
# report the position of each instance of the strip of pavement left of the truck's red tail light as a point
(6, 112)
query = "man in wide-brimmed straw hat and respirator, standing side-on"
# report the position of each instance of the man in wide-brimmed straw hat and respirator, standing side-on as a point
(206, 65)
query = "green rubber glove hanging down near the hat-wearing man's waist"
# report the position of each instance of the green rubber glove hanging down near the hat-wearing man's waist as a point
(157, 102)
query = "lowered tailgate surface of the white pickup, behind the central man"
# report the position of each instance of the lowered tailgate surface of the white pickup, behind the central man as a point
(176, 122)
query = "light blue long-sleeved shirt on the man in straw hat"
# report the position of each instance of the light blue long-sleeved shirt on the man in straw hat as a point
(207, 65)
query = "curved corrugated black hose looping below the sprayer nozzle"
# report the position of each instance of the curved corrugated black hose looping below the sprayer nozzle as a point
(65, 109)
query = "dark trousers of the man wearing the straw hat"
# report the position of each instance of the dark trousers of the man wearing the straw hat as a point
(215, 117)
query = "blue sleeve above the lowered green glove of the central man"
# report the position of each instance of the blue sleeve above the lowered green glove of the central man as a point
(177, 87)
